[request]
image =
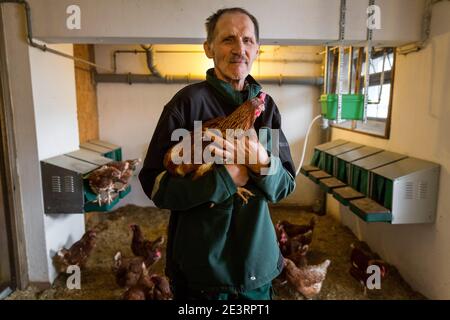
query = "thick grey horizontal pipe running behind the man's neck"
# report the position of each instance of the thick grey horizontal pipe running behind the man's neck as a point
(186, 79)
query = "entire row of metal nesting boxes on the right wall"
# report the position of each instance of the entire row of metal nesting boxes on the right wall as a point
(383, 186)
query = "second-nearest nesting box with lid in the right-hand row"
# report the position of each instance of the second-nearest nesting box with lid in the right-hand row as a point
(361, 177)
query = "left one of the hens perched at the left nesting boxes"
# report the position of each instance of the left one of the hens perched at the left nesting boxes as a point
(101, 182)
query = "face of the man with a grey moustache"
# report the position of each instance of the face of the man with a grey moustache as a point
(233, 48)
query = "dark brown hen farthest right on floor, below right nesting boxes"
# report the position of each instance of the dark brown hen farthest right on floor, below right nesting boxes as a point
(361, 259)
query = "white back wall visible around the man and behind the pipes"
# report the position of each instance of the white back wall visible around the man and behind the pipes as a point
(136, 108)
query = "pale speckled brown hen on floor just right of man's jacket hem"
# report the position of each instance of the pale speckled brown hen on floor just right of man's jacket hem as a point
(308, 279)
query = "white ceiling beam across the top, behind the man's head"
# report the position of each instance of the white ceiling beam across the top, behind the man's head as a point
(181, 21)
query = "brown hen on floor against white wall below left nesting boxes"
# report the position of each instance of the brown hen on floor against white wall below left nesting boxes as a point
(77, 254)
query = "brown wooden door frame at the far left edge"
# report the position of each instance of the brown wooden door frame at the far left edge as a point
(10, 180)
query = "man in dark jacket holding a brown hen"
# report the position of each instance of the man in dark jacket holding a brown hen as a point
(227, 250)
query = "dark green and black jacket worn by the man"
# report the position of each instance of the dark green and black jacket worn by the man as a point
(230, 247)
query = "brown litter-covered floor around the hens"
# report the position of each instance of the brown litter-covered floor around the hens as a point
(330, 241)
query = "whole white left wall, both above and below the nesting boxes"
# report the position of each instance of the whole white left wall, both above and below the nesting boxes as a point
(54, 97)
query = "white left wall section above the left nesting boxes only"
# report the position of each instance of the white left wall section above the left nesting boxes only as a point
(53, 81)
